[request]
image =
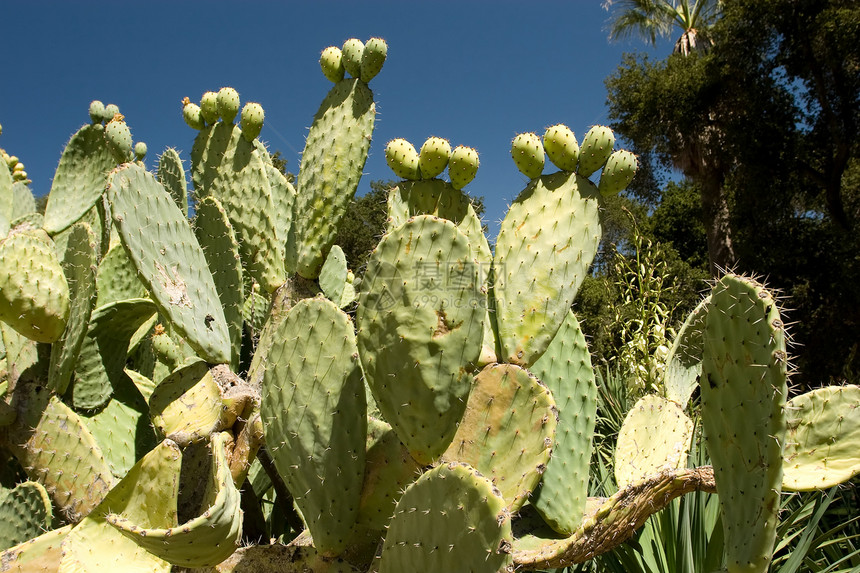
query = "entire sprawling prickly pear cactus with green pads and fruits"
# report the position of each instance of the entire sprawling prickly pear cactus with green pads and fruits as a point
(172, 378)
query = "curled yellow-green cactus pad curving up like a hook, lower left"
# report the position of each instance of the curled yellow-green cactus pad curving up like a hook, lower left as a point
(203, 541)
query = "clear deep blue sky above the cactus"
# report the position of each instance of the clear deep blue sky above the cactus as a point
(476, 73)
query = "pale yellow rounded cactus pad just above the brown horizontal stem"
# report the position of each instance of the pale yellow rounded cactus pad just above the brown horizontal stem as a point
(654, 437)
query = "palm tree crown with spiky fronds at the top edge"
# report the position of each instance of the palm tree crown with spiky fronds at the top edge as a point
(651, 19)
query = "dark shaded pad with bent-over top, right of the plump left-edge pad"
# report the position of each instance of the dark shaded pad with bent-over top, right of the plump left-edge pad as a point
(103, 354)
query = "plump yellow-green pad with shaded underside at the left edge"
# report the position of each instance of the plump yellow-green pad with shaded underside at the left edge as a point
(34, 293)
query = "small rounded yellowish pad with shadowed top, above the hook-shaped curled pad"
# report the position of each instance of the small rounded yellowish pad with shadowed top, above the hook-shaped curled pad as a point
(187, 406)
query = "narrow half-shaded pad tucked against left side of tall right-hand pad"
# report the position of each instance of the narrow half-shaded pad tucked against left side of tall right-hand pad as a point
(684, 362)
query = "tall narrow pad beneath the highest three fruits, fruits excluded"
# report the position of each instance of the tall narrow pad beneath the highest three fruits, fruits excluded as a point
(332, 164)
